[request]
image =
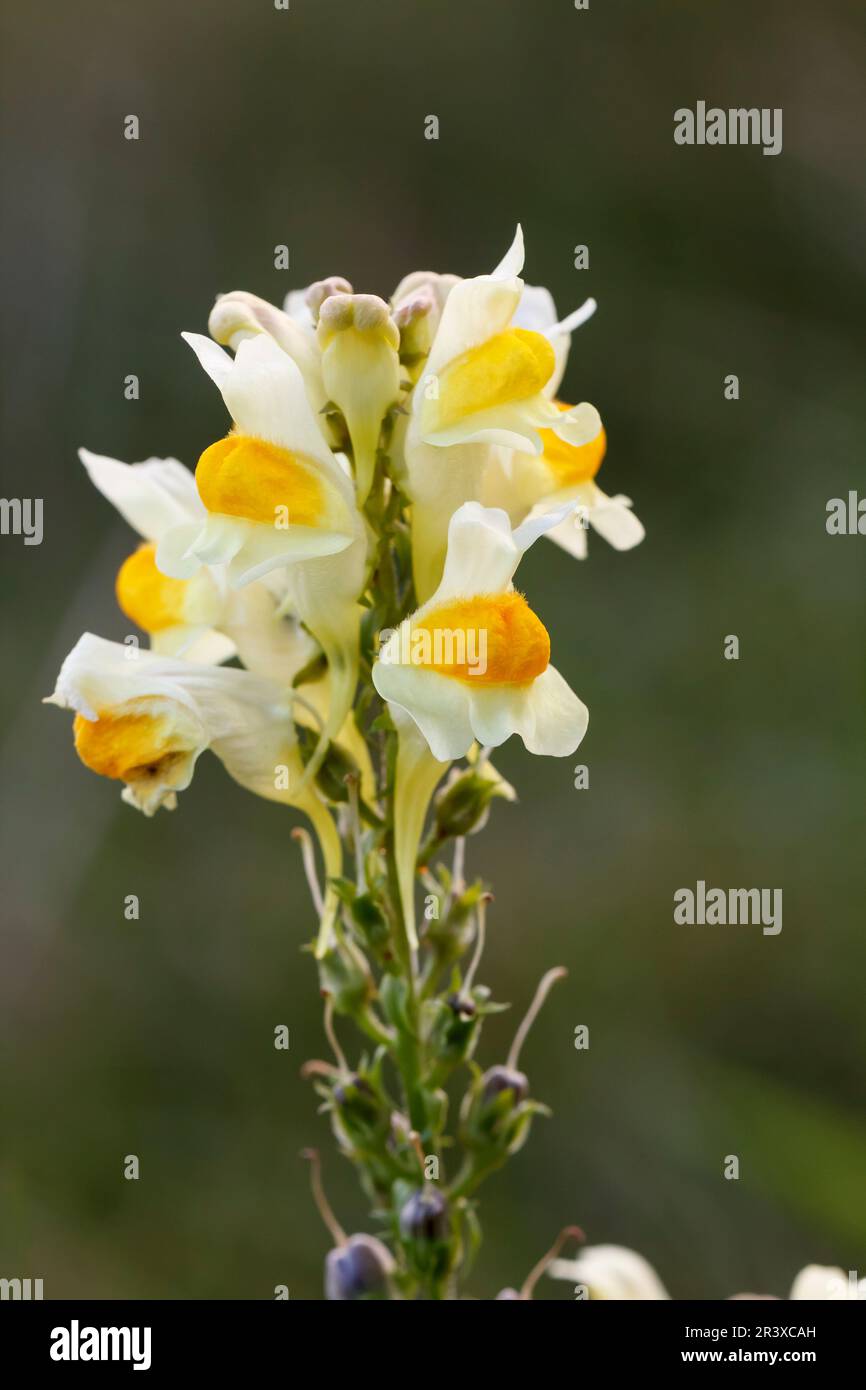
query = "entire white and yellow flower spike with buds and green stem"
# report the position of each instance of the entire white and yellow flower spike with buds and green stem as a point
(332, 610)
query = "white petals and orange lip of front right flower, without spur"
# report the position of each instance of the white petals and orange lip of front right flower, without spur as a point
(475, 661)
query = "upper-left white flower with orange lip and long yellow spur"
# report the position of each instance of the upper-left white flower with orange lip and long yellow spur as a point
(277, 498)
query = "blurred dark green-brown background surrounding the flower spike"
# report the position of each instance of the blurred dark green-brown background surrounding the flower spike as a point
(262, 127)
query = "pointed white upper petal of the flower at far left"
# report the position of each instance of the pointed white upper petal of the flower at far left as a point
(151, 497)
